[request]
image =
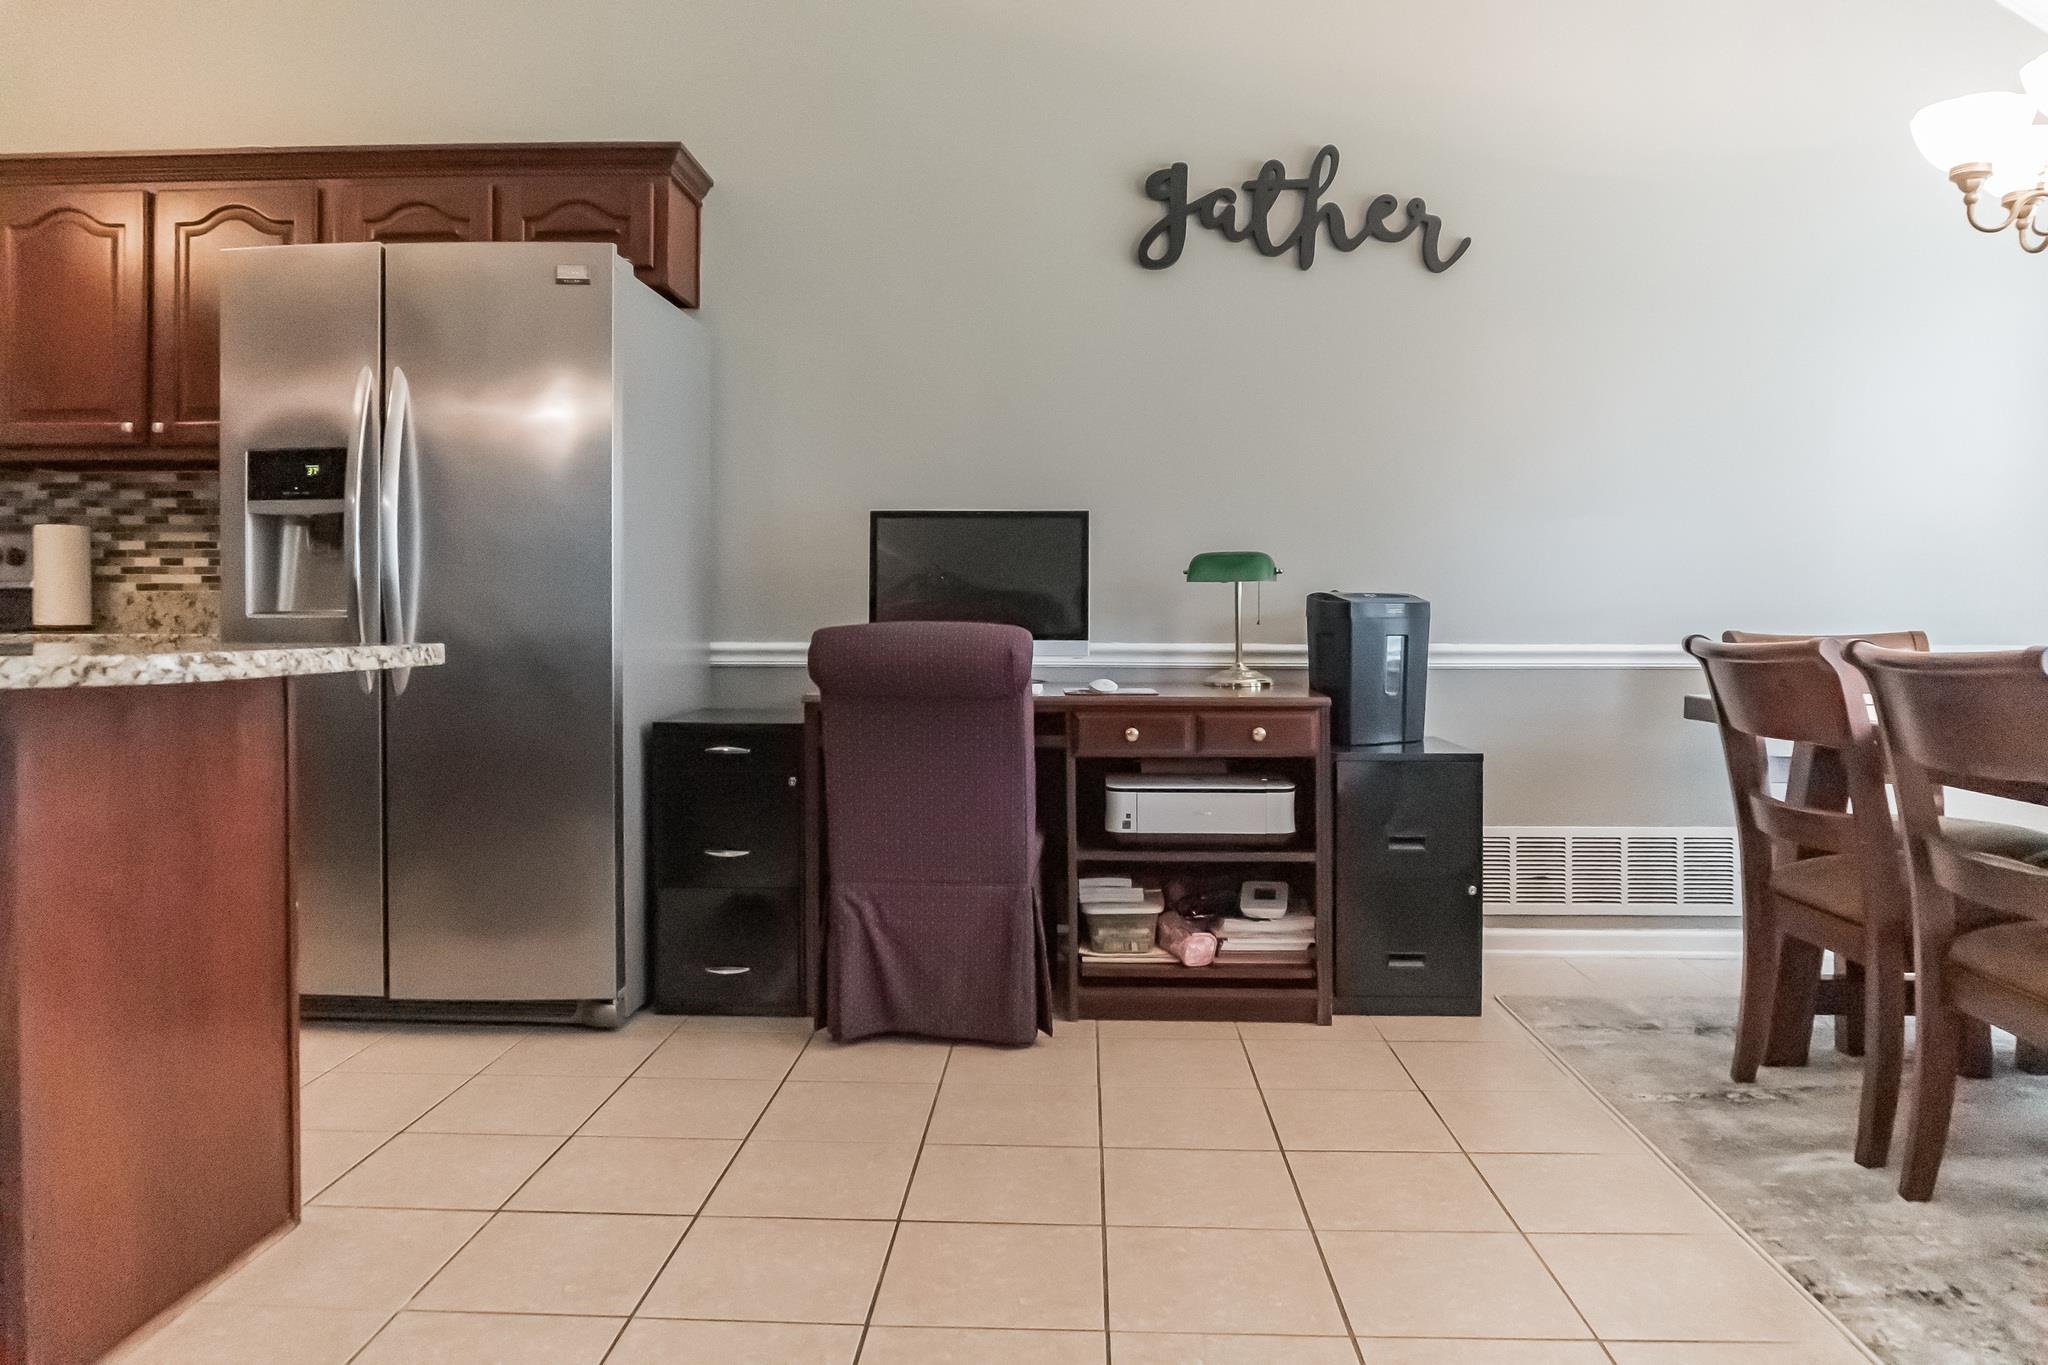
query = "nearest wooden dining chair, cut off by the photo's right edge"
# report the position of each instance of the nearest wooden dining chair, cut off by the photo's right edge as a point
(1979, 914)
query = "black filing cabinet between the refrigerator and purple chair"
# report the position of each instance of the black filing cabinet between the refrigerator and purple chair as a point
(724, 863)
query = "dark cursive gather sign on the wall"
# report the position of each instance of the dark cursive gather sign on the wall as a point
(1220, 212)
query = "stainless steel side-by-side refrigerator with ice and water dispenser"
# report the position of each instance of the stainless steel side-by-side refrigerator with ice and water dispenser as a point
(505, 449)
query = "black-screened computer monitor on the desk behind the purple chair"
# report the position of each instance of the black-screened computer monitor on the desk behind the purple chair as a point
(1013, 568)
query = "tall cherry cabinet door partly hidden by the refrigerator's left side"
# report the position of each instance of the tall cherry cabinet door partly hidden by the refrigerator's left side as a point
(191, 230)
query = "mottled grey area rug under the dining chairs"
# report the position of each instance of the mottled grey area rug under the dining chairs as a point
(1955, 1282)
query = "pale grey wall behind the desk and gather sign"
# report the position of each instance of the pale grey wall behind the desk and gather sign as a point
(1723, 351)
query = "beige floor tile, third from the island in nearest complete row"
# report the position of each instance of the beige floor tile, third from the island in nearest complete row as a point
(773, 1270)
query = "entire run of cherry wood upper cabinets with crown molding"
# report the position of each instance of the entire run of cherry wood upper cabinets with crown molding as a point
(110, 298)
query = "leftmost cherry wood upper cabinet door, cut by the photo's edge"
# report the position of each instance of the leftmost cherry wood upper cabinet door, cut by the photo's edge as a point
(73, 316)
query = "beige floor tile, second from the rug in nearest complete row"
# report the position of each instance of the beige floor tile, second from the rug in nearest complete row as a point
(1449, 1284)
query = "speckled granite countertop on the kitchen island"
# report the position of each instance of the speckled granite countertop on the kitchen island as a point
(157, 660)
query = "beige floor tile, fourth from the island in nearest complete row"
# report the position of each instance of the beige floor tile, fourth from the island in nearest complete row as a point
(992, 1276)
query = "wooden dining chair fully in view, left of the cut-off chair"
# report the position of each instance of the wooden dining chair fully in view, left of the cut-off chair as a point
(1816, 877)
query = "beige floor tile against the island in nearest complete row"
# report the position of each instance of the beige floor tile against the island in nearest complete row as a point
(351, 1260)
